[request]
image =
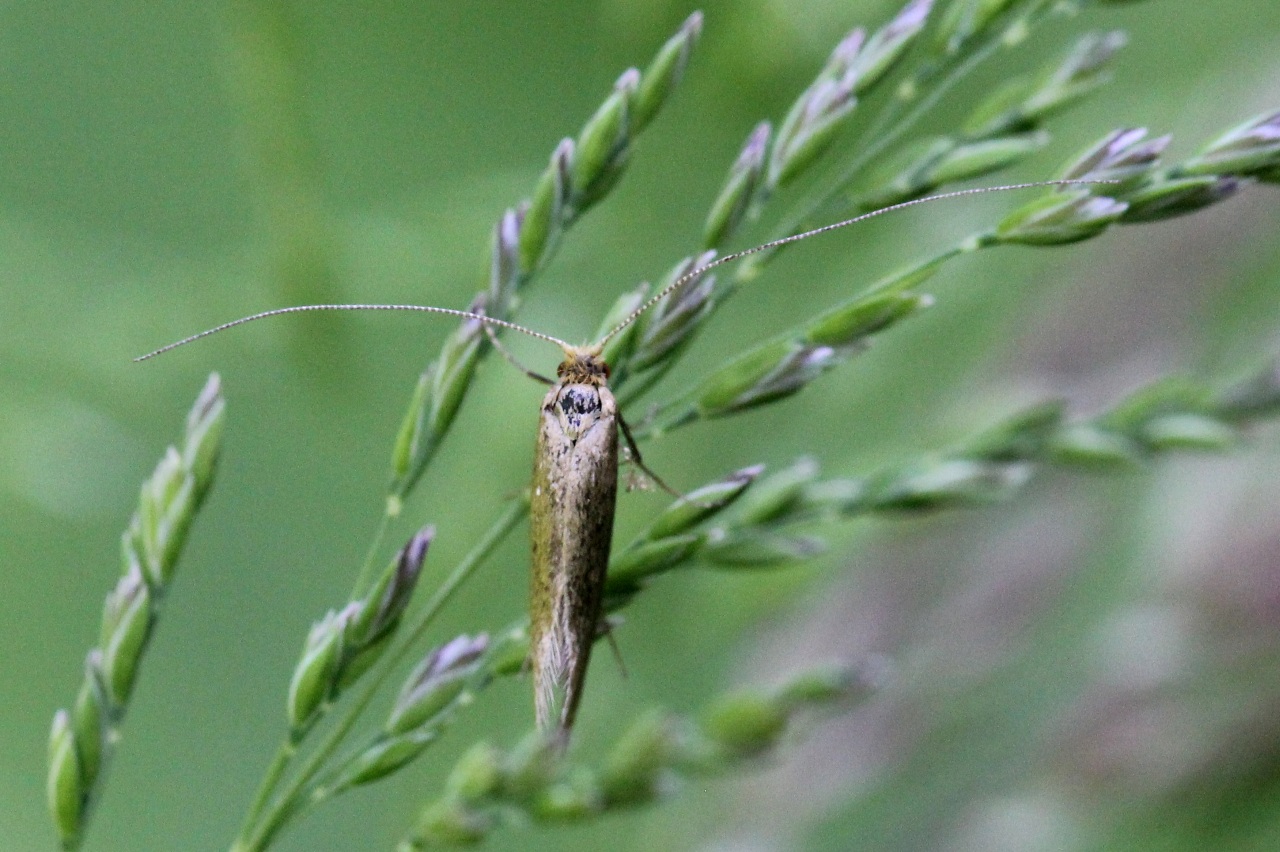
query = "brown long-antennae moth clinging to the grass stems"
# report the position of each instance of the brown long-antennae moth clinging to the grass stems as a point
(574, 491)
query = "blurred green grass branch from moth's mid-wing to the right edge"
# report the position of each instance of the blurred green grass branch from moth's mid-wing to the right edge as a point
(770, 521)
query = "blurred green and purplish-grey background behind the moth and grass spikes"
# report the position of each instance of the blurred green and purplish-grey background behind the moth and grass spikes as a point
(1094, 668)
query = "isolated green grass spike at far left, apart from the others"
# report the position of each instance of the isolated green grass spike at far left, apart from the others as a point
(84, 738)
